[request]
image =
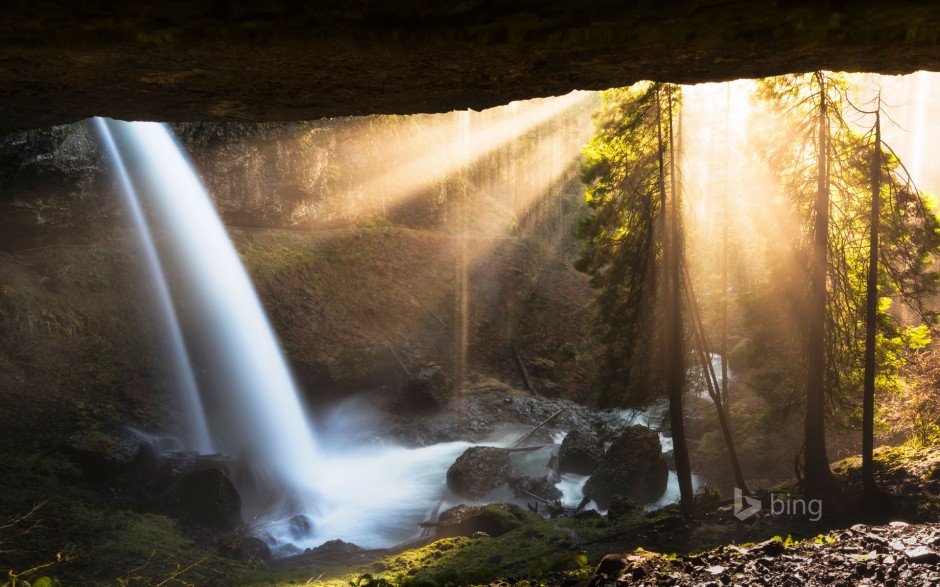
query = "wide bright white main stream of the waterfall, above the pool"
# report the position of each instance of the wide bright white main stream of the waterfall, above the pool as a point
(260, 414)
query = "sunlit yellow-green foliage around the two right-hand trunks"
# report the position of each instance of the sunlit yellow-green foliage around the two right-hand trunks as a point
(786, 142)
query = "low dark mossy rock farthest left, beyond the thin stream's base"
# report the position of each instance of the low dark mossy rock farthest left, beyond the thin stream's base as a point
(107, 450)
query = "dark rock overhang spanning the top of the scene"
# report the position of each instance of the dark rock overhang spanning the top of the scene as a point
(177, 60)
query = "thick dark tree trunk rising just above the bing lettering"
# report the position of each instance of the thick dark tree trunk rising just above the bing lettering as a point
(817, 475)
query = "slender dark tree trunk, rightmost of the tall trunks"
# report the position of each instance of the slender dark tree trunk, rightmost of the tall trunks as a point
(871, 315)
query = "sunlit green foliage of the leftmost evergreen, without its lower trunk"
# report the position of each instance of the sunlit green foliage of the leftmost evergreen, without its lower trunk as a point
(623, 174)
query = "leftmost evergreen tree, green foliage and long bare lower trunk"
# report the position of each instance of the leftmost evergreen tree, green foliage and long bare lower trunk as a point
(633, 253)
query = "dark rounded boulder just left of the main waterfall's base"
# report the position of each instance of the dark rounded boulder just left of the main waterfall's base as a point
(205, 500)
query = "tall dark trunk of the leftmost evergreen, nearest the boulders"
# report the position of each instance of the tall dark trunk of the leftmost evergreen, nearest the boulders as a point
(675, 355)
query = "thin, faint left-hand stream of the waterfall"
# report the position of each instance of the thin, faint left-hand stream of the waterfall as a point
(197, 431)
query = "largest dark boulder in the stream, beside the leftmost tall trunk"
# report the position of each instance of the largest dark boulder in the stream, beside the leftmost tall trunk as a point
(633, 467)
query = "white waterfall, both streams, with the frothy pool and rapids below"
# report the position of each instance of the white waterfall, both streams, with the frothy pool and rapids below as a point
(299, 488)
